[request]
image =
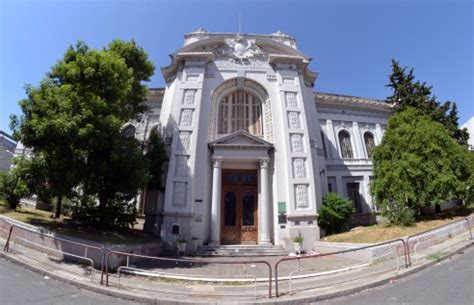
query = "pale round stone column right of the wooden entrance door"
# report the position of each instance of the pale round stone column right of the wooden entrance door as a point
(265, 205)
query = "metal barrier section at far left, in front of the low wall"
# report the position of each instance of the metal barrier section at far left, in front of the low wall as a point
(87, 247)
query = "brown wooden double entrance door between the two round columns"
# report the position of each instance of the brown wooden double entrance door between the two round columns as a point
(239, 216)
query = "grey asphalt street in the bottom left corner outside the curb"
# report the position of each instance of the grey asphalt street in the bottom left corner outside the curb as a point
(20, 286)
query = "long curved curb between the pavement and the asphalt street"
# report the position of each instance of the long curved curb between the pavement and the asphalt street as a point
(148, 300)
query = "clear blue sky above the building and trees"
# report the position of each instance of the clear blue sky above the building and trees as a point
(351, 42)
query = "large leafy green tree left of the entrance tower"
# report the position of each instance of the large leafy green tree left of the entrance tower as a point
(73, 121)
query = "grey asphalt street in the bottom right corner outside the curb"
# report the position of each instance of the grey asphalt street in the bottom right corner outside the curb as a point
(450, 282)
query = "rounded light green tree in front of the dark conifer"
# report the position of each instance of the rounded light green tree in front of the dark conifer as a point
(417, 165)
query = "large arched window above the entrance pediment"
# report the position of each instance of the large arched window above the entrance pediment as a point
(240, 110)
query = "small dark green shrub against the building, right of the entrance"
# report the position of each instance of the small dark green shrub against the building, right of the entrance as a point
(335, 213)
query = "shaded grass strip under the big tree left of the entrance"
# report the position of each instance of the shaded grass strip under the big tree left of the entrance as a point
(45, 220)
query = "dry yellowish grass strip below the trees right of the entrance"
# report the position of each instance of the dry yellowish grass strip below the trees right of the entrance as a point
(383, 232)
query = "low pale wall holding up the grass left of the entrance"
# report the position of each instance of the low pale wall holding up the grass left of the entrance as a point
(55, 244)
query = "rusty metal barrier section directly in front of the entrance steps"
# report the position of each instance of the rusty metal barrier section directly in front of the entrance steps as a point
(200, 261)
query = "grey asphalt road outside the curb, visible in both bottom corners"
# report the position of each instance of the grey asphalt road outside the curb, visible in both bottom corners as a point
(448, 282)
